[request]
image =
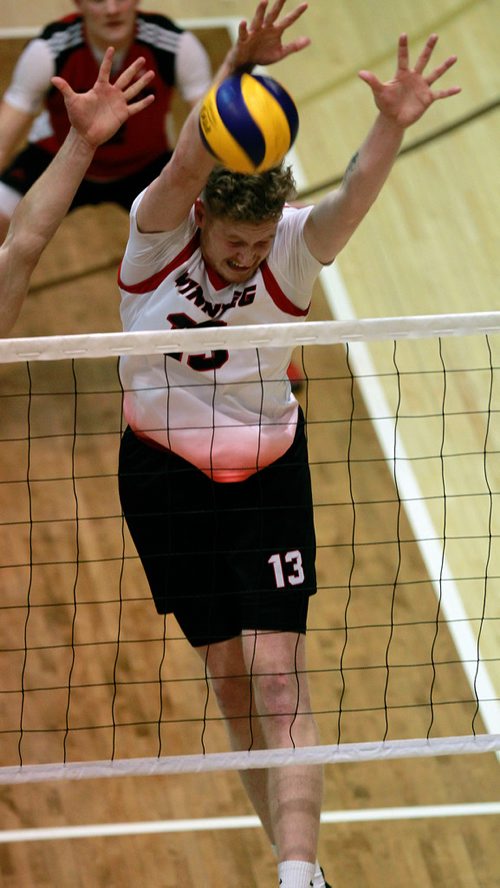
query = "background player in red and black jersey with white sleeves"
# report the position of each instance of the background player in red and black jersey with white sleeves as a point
(73, 48)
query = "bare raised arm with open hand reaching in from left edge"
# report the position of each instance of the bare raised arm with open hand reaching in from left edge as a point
(94, 116)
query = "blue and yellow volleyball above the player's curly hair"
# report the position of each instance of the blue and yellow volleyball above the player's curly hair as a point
(248, 122)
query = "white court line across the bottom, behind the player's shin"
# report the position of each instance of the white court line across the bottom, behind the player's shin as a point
(250, 822)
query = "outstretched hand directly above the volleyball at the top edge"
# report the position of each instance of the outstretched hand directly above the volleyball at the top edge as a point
(260, 42)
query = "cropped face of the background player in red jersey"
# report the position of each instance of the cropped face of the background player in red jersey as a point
(109, 22)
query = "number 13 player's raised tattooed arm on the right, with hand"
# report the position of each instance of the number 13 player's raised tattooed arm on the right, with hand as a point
(400, 102)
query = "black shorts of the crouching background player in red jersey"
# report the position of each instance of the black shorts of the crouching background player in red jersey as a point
(29, 165)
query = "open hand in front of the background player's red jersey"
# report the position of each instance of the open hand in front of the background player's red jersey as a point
(97, 114)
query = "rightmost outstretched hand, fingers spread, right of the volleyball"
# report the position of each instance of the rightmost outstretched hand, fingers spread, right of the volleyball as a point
(406, 97)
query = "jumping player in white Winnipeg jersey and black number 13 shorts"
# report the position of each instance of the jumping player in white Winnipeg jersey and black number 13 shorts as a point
(214, 478)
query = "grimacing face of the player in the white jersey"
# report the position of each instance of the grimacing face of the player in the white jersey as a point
(234, 249)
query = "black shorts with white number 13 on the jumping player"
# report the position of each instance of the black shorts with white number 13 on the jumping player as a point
(222, 557)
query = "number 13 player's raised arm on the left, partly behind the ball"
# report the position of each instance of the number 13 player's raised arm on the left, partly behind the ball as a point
(260, 42)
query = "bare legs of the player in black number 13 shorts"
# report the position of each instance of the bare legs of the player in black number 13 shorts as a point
(245, 678)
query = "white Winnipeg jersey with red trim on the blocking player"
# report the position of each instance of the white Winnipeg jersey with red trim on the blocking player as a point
(230, 413)
